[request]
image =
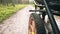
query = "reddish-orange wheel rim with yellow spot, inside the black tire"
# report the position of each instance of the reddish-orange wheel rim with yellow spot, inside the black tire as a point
(32, 28)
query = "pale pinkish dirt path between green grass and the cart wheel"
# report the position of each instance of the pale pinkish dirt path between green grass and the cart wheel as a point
(18, 23)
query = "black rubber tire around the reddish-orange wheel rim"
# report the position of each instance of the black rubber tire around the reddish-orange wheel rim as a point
(39, 24)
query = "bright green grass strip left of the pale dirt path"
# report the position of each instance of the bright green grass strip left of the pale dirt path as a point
(7, 11)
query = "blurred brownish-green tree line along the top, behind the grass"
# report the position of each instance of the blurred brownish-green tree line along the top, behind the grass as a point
(13, 2)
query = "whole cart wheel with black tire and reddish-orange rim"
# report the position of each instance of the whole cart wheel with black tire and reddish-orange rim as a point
(36, 25)
